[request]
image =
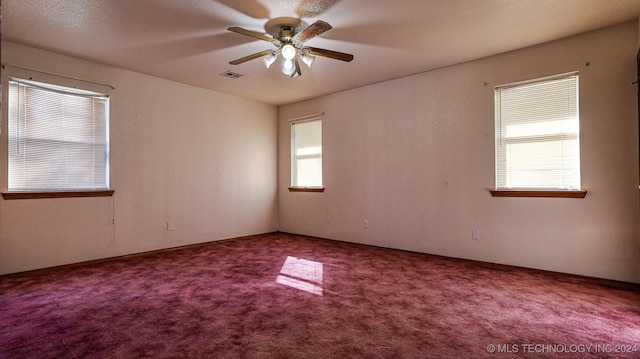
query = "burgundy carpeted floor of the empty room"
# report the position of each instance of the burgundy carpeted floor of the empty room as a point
(288, 296)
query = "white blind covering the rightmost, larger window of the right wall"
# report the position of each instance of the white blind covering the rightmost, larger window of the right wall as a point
(537, 134)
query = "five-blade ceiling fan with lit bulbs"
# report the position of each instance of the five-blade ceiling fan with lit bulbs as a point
(285, 34)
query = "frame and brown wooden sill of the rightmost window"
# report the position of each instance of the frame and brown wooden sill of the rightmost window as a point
(532, 191)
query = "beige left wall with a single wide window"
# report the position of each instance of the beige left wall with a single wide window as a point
(200, 159)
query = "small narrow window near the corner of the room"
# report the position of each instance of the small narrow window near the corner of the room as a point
(306, 153)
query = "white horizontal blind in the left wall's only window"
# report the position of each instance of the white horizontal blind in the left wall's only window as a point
(58, 138)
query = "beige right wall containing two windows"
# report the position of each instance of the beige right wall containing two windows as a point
(415, 157)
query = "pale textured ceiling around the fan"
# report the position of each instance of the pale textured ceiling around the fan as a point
(188, 41)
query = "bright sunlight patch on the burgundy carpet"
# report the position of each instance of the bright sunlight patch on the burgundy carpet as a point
(301, 274)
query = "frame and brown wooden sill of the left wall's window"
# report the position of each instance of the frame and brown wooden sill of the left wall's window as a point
(62, 192)
